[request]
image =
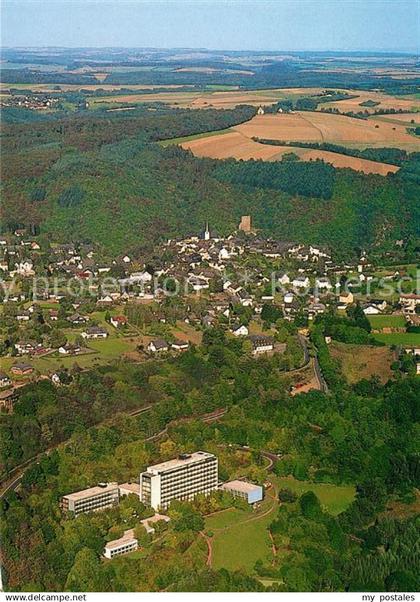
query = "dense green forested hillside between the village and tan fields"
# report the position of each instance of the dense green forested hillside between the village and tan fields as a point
(72, 178)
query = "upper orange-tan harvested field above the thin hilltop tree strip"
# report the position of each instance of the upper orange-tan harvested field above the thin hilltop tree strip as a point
(311, 126)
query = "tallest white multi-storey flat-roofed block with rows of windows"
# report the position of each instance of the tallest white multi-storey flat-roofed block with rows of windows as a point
(179, 479)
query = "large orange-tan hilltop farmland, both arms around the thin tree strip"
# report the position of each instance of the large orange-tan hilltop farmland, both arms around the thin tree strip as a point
(237, 142)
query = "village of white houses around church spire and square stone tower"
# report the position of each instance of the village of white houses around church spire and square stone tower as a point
(57, 301)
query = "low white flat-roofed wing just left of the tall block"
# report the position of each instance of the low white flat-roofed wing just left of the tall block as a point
(95, 498)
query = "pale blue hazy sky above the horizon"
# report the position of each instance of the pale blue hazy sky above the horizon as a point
(214, 24)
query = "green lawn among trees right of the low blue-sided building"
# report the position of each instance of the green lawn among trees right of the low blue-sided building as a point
(334, 498)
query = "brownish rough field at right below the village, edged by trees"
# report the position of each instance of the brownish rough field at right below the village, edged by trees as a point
(363, 361)
